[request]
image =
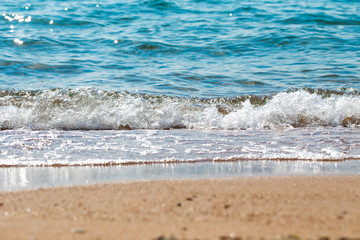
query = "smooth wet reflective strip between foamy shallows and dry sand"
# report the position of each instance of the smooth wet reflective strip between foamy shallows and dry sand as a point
(18, 178)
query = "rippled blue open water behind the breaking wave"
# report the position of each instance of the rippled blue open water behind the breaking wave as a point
(189, 48)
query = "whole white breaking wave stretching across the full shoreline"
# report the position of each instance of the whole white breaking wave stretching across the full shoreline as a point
(94, 109)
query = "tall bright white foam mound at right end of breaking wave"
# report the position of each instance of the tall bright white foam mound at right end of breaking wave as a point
(295, 109)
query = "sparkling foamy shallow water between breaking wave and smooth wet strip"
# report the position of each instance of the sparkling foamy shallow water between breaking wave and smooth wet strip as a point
(62, 148)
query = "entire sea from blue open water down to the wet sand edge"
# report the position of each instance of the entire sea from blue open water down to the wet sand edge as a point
(94, 91)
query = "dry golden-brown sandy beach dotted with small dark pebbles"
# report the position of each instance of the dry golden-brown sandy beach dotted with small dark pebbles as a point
(301, 207)
